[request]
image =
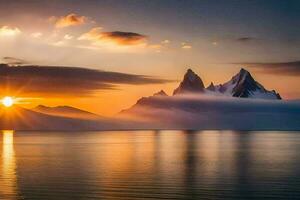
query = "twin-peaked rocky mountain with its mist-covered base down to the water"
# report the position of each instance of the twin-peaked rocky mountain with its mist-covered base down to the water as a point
(225, 106)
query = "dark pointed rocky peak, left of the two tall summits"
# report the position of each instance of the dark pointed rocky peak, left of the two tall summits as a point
(191, 83)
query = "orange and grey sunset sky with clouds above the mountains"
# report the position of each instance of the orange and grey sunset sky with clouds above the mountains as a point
(118, 51)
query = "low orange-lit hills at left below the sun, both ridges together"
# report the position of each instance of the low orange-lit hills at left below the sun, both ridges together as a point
(62, 118)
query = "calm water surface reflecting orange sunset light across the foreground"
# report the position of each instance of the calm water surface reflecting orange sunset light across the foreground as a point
(150, 165)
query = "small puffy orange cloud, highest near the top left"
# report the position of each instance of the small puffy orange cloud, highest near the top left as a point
(68, 20)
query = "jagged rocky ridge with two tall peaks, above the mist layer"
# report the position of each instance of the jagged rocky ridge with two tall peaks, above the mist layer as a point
(241, 85)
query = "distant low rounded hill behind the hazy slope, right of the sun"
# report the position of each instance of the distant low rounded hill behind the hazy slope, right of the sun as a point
(66, 111)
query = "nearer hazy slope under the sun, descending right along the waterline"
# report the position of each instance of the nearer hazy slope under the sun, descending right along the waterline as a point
(18, 118)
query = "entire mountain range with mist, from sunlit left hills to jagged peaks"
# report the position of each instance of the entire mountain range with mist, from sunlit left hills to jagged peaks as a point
(239, 104)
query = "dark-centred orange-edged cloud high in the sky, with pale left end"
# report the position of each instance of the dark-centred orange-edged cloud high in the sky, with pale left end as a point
(116, 37)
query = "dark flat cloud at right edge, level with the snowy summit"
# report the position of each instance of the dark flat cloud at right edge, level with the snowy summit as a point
(291, 68)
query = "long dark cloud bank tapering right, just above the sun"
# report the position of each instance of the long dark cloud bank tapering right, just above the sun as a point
(31, 80)
